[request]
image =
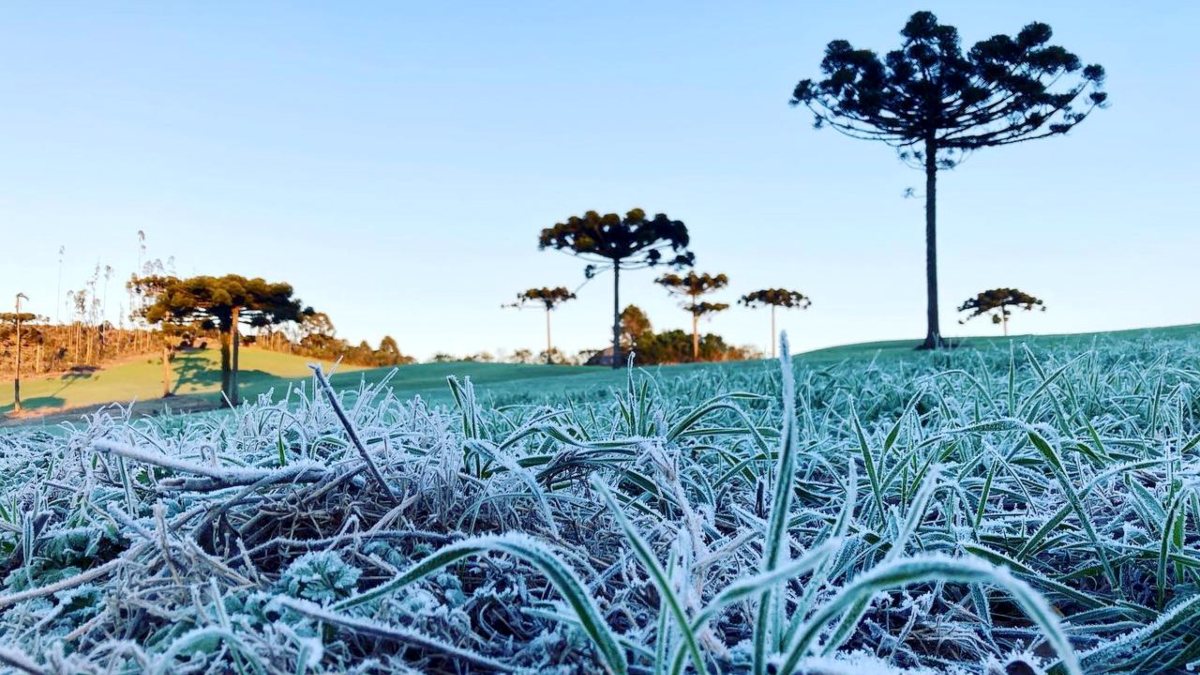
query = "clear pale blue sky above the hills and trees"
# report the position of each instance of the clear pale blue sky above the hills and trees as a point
(397, 162)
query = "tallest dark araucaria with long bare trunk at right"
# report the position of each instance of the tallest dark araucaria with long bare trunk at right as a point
(935, 104)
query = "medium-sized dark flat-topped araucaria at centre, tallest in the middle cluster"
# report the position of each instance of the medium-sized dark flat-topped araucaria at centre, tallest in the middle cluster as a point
(616, 243)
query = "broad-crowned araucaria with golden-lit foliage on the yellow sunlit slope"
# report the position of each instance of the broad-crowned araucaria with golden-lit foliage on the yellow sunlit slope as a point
(223, 303)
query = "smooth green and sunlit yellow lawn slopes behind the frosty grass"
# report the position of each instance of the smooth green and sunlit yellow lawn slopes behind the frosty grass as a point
(197, 375)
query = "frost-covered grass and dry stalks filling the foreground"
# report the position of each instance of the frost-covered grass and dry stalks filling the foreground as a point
(998, 509)
